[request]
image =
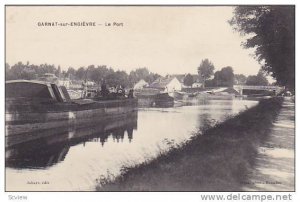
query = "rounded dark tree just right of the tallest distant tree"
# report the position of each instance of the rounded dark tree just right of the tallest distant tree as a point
(224, 77)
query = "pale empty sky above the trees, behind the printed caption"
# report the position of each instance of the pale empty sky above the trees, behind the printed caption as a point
(166, 40)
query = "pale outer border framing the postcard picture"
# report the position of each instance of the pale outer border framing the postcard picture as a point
(125, 196)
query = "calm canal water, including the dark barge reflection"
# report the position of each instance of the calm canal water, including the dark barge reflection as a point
(77, 159)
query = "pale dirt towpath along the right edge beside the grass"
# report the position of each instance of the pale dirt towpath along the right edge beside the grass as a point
(274, 170)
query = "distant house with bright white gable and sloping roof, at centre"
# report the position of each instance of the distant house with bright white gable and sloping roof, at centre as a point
(166, 84)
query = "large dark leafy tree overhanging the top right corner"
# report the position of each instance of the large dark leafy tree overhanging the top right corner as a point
(272, 34)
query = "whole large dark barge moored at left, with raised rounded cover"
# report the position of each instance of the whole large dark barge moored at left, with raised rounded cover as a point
(36, 106)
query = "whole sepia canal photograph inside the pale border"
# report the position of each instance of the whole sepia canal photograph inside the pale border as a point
(149, 98)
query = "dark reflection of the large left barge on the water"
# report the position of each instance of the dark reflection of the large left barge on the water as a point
(48, 151)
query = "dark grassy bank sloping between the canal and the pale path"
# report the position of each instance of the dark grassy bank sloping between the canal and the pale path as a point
(218, 160)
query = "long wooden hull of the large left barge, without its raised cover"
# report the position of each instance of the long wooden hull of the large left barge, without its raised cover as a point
(25, 121)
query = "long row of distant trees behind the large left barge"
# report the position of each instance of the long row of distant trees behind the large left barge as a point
(99, 74)
